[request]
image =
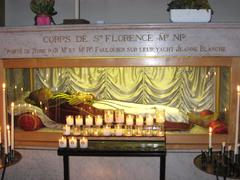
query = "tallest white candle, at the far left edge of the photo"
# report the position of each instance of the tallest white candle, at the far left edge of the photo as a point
(4, 118)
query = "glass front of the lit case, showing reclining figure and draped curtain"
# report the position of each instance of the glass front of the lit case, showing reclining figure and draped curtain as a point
(193, 98)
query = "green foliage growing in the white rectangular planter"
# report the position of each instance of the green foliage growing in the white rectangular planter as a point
(188, 4)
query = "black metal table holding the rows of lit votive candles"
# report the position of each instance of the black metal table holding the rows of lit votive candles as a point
(117, 148)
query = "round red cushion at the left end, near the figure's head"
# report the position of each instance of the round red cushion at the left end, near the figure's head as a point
(29, 122)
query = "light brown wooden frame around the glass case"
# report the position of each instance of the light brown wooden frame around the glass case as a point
(174, 141)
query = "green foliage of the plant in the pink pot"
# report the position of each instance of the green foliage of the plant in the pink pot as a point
(45, 7)
